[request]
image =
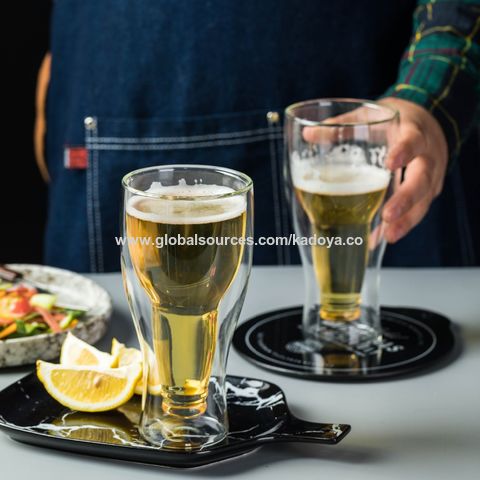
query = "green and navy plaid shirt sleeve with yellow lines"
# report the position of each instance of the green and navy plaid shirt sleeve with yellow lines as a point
(440, 69)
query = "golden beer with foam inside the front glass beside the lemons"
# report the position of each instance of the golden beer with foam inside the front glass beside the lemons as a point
(185, 282)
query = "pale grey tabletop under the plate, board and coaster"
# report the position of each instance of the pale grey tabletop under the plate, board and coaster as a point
(426, 427)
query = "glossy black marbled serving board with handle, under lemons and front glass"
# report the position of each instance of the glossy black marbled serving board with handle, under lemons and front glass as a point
(257, 409)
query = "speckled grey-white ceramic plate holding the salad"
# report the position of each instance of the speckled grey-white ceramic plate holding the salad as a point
(70, 288)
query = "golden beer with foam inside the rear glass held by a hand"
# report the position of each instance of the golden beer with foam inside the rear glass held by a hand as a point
(341, 201)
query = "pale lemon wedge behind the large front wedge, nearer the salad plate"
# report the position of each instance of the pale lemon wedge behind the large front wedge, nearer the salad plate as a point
(76, 352)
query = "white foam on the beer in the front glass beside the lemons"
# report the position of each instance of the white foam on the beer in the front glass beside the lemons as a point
(184, 211)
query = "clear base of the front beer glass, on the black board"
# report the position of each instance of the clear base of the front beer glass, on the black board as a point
(174, 432)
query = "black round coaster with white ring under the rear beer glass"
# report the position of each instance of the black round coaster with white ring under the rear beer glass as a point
(414, 341)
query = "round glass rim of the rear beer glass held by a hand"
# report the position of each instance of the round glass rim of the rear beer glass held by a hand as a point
(372, 104)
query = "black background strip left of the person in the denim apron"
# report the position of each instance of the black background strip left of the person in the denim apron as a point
(21, 240)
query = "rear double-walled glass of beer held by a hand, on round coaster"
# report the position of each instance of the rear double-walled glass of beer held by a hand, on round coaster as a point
(337, 184)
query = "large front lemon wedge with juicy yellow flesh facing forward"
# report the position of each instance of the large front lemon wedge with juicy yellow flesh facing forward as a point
(89, 389)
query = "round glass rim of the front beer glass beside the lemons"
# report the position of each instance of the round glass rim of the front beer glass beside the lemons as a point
(184, 166)
